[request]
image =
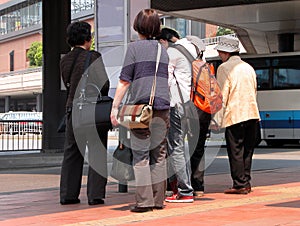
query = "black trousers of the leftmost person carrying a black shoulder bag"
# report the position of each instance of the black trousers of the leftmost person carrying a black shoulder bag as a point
(72, 165)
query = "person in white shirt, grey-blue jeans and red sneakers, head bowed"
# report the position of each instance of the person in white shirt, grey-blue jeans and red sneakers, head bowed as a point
(179, 85)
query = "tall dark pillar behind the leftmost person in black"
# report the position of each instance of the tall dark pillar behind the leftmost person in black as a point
(56, 17)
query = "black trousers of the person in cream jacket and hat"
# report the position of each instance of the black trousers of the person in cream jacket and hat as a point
(240, 139)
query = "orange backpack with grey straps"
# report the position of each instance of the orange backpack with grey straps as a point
(205, 90)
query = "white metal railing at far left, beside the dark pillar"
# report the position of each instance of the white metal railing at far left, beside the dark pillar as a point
(21, 135)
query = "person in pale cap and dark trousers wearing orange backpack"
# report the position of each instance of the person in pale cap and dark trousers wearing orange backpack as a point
(206, 96)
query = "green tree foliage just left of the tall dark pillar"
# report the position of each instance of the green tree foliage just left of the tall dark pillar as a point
(35, 54)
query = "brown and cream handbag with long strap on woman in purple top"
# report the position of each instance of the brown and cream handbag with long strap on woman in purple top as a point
(139, 116)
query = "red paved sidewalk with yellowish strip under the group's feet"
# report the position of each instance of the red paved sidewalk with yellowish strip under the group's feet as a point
(275, 200)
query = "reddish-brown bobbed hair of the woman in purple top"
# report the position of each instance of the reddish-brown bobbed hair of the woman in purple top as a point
(147, 23)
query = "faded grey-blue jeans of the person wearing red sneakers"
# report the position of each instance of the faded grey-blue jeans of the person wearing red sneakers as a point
(178, 156)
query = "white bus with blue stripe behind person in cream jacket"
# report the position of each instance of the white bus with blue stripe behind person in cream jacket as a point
(278, 85)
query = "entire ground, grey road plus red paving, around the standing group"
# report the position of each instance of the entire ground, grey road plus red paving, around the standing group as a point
(30, 196)
